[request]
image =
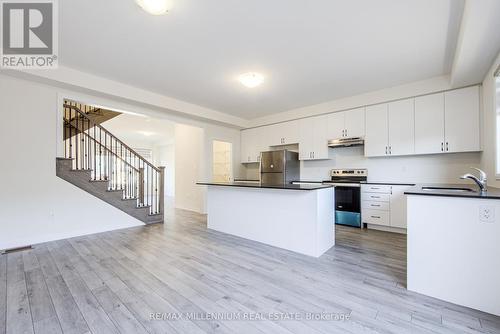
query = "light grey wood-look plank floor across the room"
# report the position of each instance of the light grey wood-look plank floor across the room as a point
(112, 282)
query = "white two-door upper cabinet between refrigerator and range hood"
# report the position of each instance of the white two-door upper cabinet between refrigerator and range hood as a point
(313, 139)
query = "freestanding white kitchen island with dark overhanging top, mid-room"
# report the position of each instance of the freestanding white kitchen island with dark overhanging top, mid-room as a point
(296, 217)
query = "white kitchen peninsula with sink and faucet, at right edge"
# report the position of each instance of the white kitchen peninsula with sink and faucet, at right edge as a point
(453, 249)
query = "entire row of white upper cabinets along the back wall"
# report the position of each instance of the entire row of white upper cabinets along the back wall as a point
(436, 123)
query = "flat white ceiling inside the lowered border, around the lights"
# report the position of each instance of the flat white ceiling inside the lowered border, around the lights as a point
(310, 51)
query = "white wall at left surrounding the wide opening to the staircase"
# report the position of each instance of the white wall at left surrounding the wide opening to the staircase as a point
(35, 205)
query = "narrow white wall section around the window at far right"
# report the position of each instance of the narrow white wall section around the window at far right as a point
(490, 142)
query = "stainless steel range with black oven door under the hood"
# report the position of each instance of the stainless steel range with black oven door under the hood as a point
(347, 184)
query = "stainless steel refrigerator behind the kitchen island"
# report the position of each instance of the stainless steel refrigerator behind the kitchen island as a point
(279, 167)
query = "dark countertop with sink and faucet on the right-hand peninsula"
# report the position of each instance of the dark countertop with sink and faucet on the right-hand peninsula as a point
(492, 193)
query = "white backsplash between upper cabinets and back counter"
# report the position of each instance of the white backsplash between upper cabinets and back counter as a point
(438, 168)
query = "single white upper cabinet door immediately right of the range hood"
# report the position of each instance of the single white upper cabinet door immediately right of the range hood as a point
(377, 132)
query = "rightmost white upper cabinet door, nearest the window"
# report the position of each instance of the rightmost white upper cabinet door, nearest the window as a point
(461, 120)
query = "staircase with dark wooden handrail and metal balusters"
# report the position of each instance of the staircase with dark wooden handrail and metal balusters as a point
(99, 163)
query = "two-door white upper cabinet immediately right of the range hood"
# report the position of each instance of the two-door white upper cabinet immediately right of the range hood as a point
(390, 129)
